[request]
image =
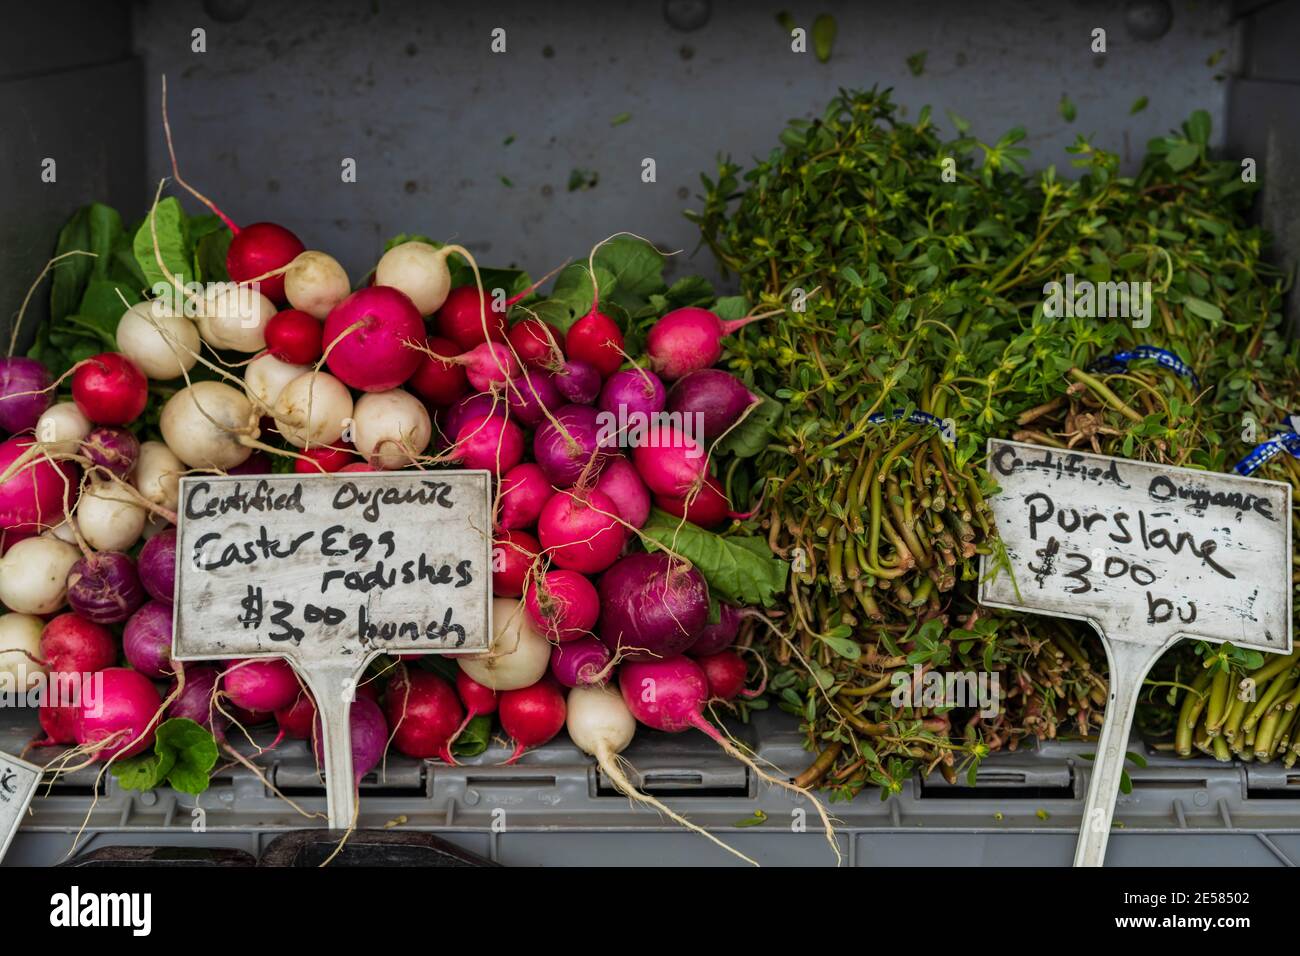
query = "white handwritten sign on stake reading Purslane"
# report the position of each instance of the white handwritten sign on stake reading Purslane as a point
(1146, 553)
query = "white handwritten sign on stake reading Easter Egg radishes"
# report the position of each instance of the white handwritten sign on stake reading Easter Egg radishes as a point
(330, 572)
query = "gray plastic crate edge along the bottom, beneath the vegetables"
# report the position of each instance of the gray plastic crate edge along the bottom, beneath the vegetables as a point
(554, 808)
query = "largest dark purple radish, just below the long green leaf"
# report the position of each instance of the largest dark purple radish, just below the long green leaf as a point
(652, 605)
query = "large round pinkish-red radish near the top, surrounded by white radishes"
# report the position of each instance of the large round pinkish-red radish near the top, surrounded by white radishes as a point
(367, 335)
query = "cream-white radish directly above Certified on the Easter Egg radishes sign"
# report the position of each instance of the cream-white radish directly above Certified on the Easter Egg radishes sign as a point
(209, 426)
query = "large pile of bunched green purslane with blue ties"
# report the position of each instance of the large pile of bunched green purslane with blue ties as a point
(913, 271)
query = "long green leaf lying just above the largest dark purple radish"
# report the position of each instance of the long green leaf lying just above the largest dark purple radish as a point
(742, 570)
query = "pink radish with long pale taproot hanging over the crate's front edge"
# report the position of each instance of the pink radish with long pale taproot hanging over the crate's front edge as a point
(670, 695)
